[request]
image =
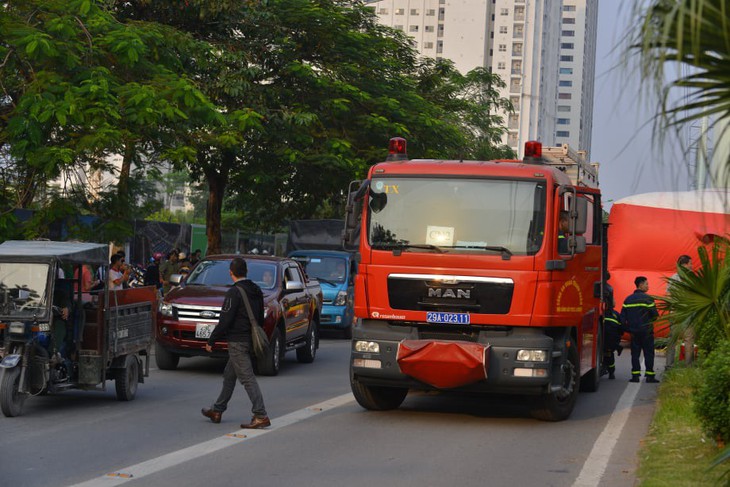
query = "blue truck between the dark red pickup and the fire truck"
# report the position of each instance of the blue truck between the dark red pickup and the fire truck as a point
(335, 272)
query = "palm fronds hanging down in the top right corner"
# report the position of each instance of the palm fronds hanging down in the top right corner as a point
(694, 35)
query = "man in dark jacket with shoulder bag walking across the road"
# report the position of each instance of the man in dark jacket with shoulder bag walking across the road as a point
(234, 325)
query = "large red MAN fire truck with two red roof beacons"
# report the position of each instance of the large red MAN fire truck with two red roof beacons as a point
(469, 281)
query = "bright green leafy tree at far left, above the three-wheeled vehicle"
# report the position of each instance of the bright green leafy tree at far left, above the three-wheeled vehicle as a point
(79, 86)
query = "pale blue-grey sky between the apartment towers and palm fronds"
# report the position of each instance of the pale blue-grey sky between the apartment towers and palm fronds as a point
(622, 142)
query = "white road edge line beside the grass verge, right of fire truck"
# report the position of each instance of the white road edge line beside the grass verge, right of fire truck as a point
(595, 465)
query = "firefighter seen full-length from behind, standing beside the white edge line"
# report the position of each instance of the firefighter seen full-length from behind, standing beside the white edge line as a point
(638, 314)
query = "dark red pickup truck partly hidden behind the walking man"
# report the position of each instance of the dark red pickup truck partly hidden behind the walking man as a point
(189, 312)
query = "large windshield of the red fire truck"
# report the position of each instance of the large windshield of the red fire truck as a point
(461, 215)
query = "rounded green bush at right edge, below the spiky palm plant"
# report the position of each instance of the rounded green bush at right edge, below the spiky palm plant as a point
(713, 396)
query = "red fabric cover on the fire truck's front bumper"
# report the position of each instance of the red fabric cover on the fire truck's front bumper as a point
(443, 364)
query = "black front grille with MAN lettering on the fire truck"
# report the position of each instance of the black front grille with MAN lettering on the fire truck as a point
(456, 294)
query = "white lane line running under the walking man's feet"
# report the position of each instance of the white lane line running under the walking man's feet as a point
(172, 459)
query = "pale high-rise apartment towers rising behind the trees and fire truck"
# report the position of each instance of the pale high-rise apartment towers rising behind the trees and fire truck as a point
(544, 50)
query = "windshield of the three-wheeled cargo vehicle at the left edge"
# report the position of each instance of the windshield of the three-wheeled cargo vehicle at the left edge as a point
(22, 289)
